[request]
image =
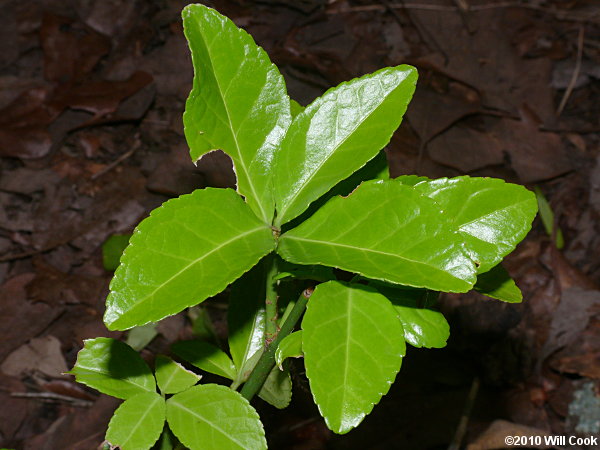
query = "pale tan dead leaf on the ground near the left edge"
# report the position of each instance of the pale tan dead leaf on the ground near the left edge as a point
(42, 354)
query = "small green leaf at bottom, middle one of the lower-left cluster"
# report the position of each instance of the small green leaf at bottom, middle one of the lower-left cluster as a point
(138, 422)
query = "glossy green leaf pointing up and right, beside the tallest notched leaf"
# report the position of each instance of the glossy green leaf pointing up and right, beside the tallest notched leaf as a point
(337, 134)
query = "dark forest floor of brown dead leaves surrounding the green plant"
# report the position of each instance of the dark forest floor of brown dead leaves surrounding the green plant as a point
(91, 140)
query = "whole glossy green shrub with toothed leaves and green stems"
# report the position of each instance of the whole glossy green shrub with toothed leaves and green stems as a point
(313, 194)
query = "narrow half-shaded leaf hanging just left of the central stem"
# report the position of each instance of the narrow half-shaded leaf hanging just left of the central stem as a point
(246, 321)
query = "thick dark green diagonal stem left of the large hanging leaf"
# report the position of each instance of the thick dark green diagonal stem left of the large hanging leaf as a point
(267, 360)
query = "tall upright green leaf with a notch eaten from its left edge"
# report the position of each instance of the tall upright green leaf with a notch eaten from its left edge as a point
(238, 103)
